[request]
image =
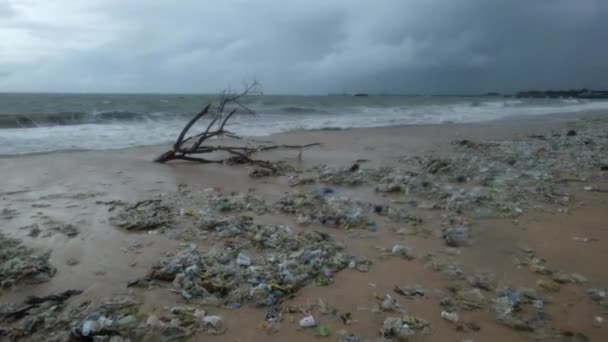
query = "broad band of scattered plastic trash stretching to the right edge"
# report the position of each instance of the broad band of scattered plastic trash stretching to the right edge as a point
(496, 178)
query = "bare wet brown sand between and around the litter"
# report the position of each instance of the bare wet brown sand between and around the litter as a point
(66, 187)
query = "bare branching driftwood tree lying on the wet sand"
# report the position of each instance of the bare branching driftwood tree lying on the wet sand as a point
(190, 148)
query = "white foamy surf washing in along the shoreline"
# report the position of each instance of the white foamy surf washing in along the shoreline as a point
(157, 129)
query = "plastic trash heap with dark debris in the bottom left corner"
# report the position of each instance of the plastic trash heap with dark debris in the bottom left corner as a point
(118, 319)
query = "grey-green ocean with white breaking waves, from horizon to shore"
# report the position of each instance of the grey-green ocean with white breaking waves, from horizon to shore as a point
(35, 123)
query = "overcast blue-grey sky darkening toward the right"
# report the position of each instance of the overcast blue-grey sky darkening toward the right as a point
(308, 46)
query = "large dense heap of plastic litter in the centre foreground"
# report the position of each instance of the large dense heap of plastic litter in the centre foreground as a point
(231, 277)
